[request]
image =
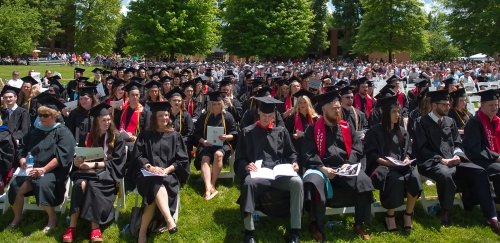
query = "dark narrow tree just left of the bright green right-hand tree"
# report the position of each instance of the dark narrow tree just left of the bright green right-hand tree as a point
(347, 18)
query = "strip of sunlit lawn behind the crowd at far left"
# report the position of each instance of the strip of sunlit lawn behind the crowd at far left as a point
(65, 71)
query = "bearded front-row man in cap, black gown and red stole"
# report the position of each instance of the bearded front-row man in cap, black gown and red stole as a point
(333, 143)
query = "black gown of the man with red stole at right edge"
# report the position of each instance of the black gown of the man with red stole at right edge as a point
(478, 151)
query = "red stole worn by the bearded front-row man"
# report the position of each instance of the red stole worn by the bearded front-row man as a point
(320, 136)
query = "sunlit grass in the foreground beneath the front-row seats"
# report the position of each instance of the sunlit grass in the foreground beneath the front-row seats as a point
(219, 220)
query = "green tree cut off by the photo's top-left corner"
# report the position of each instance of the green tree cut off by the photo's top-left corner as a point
(19, 32)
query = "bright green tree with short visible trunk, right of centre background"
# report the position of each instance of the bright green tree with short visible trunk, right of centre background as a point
(391, 26)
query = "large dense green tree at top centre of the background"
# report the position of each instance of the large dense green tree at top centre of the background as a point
(278, 28)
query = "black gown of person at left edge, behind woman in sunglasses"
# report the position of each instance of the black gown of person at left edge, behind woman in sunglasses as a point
(18, 123)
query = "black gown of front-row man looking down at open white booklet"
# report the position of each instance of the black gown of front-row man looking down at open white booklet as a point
(273, 147)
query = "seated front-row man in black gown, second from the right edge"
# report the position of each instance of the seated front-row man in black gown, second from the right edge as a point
(440, 157)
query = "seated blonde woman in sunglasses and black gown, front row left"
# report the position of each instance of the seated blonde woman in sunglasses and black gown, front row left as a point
(53, 147)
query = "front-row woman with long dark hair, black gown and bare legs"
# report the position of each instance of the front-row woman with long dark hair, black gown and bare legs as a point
(395, 181)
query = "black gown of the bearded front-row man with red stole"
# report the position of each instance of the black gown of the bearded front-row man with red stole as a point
(348, 191)
